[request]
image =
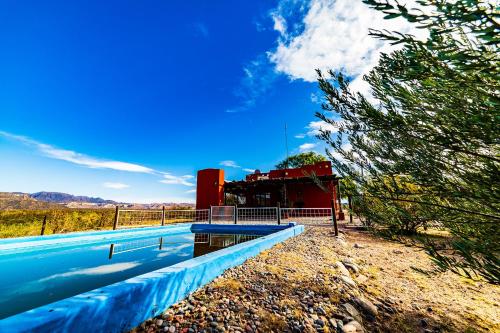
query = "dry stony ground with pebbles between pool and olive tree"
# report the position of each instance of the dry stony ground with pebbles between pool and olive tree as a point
(318, 283)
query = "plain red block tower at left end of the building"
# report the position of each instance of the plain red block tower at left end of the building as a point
(209, 188)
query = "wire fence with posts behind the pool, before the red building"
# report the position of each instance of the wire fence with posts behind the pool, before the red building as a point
(128, 218)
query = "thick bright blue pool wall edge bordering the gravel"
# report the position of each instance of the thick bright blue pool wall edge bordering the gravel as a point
(124, 305)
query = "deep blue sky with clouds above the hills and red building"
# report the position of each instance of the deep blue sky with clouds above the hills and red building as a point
(126, 100)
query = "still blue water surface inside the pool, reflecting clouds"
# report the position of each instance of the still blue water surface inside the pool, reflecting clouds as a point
(39, 272)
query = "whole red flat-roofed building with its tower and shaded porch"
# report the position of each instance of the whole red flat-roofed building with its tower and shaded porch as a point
(311, 186)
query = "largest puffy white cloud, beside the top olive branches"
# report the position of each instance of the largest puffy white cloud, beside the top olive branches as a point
(335, 36)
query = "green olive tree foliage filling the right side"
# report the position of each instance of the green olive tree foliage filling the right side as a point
(424, 144)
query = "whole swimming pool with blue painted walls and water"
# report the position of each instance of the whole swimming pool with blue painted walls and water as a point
(111, 281)
